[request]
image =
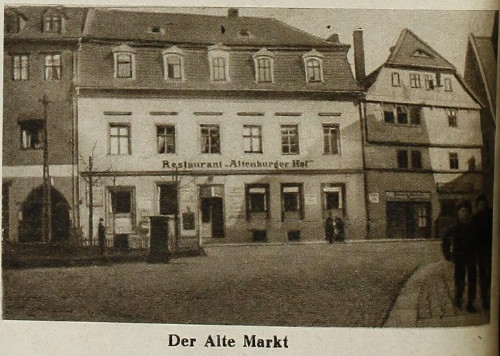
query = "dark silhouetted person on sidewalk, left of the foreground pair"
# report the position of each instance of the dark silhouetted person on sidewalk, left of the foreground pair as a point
(459, 246)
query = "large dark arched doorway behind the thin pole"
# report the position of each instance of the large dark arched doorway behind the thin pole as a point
(30, 228)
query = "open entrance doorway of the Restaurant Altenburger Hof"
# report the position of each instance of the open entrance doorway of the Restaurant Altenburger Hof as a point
(212, 211)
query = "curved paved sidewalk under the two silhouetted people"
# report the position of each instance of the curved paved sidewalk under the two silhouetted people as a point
(427, 300)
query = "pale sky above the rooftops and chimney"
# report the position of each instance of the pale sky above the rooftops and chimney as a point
(445, 30)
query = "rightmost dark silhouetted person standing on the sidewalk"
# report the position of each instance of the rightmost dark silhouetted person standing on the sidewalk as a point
(483, 225)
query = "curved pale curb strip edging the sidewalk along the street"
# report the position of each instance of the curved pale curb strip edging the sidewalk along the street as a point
(404, 313)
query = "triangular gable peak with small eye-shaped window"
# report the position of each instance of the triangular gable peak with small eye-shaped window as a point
(412, 51)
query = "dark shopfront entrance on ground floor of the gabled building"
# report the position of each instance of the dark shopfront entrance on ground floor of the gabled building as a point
(408, 220)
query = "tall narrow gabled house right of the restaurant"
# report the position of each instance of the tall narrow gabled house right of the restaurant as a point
(422, 142)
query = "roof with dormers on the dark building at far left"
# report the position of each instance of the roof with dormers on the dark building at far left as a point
(74, 19)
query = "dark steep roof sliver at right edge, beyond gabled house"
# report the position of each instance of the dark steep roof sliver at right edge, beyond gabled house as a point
(485, 56)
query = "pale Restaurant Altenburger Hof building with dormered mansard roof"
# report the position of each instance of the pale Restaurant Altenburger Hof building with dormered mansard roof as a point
(246, 131)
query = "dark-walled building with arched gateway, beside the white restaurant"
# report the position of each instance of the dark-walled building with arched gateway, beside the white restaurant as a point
(40, 54)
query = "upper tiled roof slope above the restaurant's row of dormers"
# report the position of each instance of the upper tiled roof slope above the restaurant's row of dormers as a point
(198, 29)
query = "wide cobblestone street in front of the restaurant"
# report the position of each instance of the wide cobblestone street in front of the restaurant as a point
(351, 284)
